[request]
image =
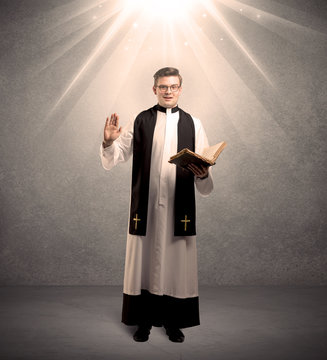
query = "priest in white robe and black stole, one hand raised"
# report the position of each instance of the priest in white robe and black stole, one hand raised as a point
(160, 279)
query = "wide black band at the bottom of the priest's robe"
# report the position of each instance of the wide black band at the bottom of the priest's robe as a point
(160, 310)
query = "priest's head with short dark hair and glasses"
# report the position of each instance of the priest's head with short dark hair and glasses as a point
(167, 86)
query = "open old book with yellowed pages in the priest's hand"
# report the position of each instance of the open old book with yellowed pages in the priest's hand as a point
(207, 158)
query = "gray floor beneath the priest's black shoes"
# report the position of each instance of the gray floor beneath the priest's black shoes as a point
(236, 323)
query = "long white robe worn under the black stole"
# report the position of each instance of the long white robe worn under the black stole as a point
(160, 262)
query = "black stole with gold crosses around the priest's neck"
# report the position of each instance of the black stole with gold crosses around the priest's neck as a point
(184, 192)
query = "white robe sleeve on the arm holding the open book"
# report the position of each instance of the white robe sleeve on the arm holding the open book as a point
(204, 186)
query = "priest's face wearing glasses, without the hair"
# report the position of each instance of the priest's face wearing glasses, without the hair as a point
(167, 97)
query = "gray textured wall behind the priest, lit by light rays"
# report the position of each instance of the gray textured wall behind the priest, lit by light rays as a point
(63, 218)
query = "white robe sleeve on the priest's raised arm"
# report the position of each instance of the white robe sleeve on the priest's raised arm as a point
(120, 150)
